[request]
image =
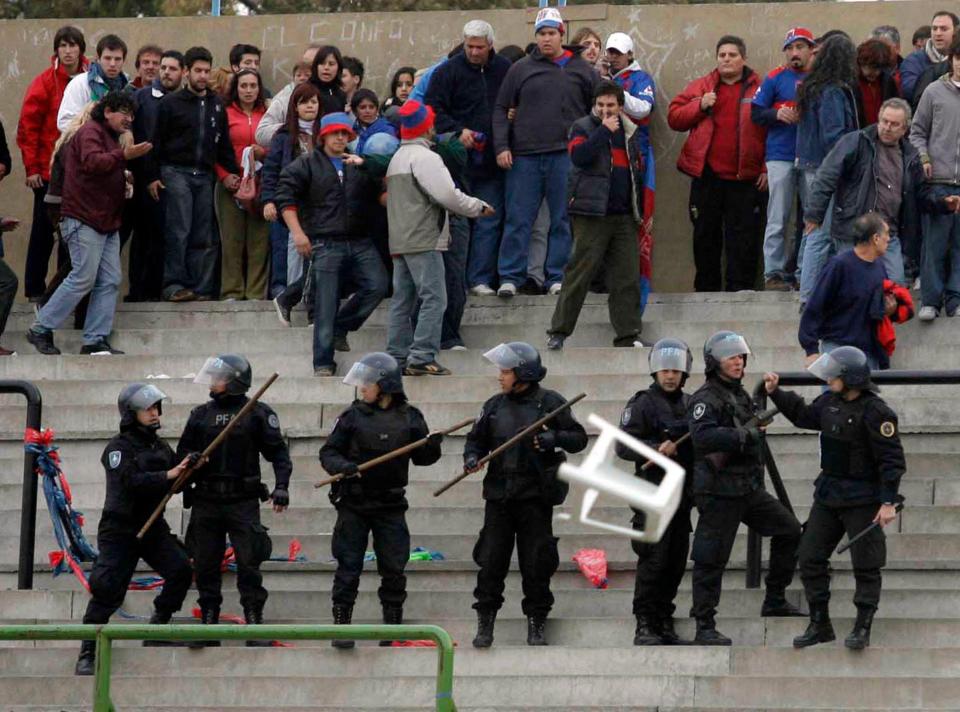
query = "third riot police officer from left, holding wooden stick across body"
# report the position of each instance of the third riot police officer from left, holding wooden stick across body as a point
(380, 421)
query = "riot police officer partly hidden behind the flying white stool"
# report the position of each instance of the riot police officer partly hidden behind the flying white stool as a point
(658, 417)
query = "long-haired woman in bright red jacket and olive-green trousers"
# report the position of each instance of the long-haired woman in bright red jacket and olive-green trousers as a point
(243, 231)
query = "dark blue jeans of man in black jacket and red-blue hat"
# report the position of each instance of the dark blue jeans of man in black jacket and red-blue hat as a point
(334, 260)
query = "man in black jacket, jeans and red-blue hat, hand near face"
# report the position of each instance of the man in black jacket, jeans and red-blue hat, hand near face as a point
(324, 198)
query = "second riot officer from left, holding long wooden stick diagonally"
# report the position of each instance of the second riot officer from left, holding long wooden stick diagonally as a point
(225, 493)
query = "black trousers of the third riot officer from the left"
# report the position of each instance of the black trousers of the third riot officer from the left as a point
(391, 545)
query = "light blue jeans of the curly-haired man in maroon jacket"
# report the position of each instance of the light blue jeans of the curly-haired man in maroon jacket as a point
(95, 257)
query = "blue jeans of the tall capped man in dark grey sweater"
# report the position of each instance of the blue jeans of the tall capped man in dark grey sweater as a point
(533, 178)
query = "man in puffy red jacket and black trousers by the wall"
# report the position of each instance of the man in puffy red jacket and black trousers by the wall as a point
(724, 155)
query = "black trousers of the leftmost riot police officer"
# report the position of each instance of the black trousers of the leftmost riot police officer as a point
(120, 550)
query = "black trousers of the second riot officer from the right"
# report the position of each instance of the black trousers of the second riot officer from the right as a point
(720, 517)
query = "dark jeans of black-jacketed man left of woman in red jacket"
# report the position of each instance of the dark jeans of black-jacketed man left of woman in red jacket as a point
(192, 247)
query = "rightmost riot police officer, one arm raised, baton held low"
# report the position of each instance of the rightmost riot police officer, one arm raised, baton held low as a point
(861, 463)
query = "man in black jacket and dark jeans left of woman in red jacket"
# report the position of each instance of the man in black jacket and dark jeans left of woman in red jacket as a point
(191, 136)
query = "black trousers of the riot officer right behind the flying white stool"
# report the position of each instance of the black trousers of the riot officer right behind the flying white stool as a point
(660, 566)
